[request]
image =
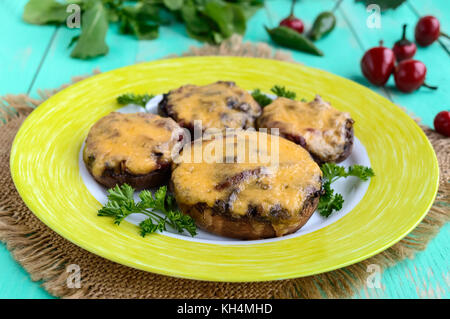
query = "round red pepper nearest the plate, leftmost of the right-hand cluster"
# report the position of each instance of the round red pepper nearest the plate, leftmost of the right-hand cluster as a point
(377, 64)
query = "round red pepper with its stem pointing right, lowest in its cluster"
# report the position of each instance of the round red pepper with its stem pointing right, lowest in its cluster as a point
(410, 75)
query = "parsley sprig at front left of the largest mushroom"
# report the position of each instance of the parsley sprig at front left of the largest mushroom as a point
(121, 204)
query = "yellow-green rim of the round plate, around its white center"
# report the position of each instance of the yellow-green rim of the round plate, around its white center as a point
(46, 172)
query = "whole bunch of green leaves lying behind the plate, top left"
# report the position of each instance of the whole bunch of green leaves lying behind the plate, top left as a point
(206, 20)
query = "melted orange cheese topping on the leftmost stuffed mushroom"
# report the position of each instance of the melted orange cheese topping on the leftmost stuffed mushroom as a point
(136, 142)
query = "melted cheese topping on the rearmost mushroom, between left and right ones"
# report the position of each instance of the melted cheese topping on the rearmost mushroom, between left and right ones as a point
(218, 105)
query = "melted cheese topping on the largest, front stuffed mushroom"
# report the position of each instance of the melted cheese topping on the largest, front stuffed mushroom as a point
(261, 183)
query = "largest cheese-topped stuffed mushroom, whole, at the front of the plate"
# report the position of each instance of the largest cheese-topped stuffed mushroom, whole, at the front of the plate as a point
(248, 199)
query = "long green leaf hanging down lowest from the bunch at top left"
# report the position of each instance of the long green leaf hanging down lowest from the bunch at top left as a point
(94, 25)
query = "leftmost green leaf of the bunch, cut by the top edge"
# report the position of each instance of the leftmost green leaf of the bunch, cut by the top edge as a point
(45, 12)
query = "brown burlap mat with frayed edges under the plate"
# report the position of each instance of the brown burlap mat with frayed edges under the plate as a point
(44, 254)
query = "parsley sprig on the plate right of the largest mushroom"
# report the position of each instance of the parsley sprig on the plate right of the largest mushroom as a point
(331, 172)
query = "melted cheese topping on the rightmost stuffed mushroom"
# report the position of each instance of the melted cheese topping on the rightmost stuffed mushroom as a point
(322, 126)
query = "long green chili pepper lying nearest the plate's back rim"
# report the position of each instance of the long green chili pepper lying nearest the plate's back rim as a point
(292, 39)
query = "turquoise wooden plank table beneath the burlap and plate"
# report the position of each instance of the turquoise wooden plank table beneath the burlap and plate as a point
(36, 57)
